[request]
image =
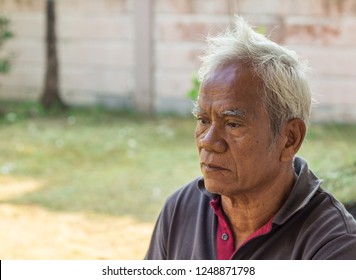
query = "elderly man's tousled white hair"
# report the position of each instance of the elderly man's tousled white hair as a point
(285, 94)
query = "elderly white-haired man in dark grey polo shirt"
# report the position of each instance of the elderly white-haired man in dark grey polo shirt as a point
(256, 199)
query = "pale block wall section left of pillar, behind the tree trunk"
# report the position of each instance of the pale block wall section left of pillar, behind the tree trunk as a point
(95, 49)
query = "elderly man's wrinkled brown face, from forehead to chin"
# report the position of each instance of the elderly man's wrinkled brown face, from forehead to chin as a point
(233, 134)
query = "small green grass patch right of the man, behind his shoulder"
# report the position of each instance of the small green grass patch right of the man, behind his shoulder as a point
(331, 152)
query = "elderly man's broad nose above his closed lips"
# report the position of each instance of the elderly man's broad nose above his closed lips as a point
(212, 140)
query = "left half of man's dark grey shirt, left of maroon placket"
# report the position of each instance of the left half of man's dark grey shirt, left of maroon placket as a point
(181, 230)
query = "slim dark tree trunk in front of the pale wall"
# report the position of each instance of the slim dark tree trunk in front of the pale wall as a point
(50, 98)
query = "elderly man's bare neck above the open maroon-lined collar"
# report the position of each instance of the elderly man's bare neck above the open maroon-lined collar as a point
(247, 212)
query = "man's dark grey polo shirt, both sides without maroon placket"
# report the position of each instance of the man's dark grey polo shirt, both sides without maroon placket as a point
(311, 224)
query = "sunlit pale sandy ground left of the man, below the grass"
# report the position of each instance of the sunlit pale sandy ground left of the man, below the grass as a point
(31, 232)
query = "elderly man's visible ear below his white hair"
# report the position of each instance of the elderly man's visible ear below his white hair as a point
(293, 133)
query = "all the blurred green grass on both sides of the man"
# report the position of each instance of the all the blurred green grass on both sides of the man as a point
(115, 163)
